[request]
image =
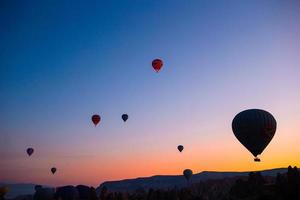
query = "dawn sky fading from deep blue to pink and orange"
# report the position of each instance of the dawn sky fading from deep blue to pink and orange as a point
(63, 61)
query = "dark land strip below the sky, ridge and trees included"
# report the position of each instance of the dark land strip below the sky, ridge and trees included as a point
(273, 184)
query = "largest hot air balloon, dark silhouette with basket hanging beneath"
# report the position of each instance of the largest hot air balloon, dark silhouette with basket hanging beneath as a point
(254, 128)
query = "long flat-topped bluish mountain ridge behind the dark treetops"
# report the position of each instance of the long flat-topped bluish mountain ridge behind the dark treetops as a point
(168, 182)
